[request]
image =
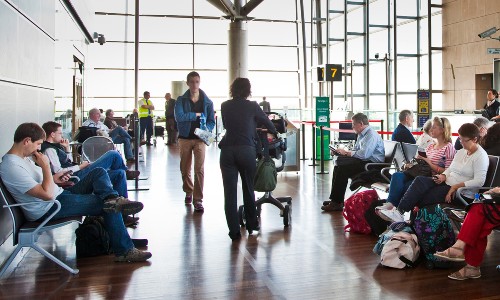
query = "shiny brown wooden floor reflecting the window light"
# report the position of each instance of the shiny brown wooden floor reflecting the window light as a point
(193, 258)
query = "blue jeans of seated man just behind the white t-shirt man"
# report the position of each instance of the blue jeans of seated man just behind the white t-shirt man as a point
(111, 161)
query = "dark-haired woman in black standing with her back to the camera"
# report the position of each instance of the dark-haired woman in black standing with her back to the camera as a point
(238, 154)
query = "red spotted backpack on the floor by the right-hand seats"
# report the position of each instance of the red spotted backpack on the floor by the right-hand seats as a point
(354, 211)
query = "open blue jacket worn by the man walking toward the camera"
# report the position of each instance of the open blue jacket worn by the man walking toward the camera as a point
(184, 116)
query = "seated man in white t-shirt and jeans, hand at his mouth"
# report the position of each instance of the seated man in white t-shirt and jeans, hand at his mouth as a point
(91, 196)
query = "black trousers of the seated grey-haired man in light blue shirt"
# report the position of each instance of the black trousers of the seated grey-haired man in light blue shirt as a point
(341, 175)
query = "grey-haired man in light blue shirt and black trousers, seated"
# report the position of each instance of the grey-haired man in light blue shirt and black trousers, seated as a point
(368, 148)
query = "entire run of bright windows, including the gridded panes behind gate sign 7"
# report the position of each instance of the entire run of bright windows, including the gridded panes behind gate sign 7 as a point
(178, 36)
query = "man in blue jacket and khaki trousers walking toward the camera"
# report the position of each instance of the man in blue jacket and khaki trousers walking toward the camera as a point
(191, 109)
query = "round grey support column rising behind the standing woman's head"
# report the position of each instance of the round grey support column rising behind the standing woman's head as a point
(238, 50)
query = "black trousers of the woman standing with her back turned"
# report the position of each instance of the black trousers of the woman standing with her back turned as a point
(242, 160)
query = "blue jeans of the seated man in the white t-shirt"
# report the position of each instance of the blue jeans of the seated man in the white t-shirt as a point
(86, 198)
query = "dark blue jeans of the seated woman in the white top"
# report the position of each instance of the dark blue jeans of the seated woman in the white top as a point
(422, 192)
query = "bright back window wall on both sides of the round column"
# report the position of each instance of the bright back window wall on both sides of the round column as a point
(179, 36)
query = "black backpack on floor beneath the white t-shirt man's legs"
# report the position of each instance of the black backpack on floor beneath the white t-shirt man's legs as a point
(92, 239)
